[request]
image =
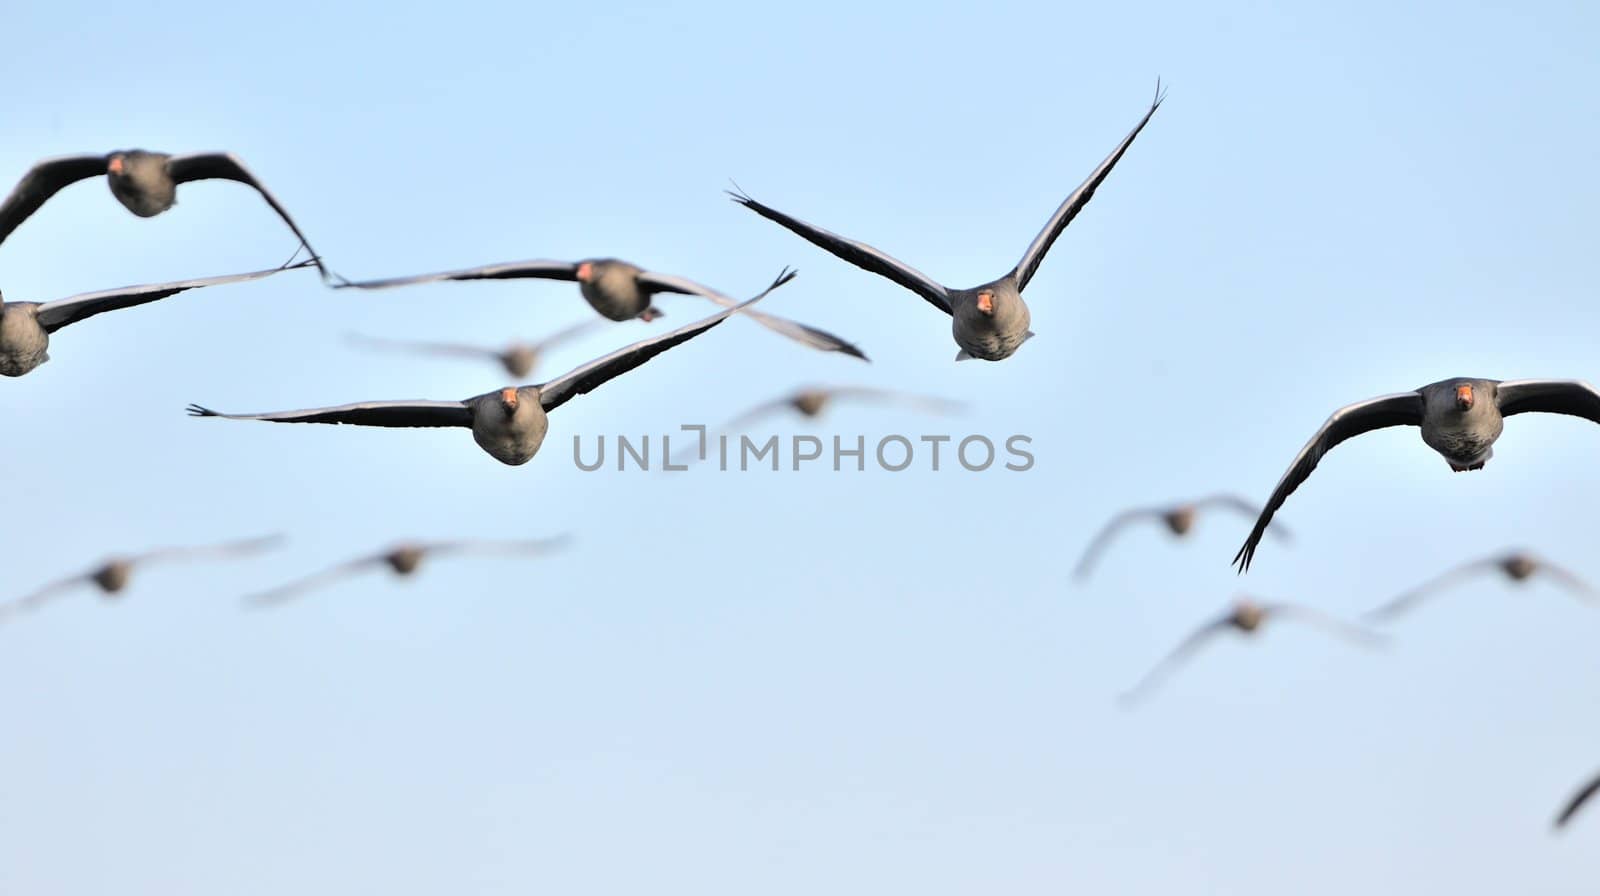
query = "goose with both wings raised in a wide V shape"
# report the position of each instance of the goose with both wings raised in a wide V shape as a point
(988, 321)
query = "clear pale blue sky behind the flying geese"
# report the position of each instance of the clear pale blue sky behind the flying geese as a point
(806, 682)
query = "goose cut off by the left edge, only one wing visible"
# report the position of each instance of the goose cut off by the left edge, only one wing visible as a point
(26, 327)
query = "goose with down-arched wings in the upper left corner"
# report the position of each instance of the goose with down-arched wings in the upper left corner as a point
(146, 183)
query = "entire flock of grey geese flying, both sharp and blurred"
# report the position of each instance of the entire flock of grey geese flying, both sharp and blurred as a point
(1460, 418)
